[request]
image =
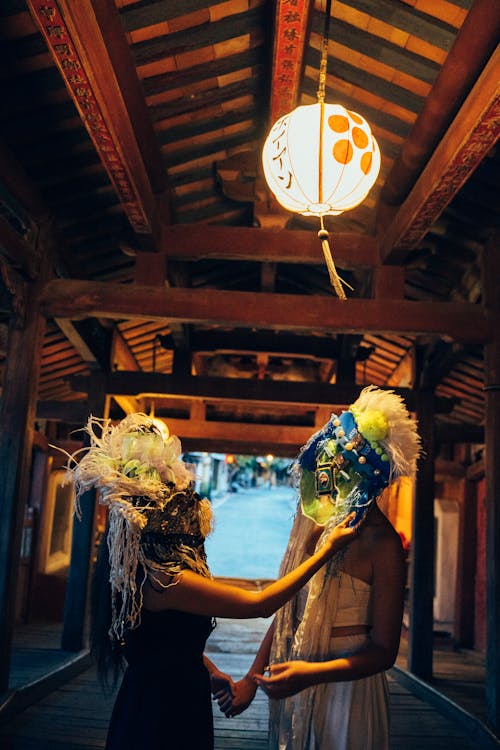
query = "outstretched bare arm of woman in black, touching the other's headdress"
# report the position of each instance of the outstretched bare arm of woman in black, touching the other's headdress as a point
(203, 596)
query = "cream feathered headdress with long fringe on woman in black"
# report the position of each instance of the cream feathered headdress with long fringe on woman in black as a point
(157, 523)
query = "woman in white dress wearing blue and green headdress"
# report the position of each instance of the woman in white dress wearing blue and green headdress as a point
(330, 646)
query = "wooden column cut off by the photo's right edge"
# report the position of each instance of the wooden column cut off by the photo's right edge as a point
(491, 269)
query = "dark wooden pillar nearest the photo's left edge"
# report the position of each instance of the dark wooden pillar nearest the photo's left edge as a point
(17, 415)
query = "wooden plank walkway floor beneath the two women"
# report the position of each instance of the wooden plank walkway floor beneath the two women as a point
(76, 714)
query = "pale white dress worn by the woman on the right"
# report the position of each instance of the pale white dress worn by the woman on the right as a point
(339, 715)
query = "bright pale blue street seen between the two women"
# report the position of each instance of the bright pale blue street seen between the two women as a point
(251, 531)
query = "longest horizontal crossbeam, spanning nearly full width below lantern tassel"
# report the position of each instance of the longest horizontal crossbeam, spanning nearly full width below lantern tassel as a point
(80, 299)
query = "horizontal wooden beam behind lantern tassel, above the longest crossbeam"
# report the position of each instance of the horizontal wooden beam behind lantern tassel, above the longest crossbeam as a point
(206, 242)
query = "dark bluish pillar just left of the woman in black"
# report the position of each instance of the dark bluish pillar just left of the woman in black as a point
(77, 588)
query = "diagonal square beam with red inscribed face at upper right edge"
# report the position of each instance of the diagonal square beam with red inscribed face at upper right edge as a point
(472, 134)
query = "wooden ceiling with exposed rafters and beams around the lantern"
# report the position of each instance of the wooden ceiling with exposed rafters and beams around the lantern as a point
(131, 135)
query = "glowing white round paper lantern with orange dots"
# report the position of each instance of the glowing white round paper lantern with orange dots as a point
(350, 160)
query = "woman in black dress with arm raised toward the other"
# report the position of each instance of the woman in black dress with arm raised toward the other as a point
(153, 599)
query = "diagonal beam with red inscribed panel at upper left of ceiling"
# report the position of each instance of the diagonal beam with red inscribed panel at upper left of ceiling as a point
(89, 47)
